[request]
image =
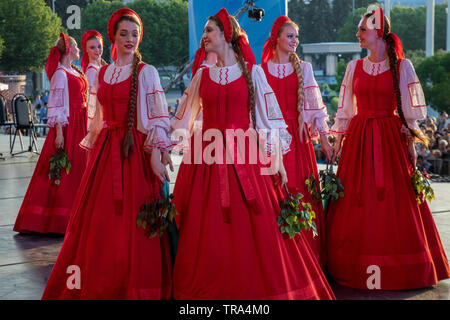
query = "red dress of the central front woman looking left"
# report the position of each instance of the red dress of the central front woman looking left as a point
(230, 246)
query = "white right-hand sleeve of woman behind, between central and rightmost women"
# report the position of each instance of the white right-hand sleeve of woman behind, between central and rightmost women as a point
(314, 110)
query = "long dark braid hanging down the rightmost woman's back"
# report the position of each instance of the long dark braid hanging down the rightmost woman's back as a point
(393, 62)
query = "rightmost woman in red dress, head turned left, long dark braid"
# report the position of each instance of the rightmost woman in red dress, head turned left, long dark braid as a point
(378, 236)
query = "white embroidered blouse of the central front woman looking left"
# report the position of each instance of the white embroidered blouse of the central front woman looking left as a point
(268, 113)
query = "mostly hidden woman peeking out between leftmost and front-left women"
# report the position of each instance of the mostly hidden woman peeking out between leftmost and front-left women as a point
(92, 47)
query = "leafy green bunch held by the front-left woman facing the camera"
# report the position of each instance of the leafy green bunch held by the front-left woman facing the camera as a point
(154, 217)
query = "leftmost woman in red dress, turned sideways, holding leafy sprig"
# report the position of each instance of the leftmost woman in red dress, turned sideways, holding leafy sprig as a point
(47, 205)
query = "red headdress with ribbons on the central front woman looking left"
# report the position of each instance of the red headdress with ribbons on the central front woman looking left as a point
(225, 19)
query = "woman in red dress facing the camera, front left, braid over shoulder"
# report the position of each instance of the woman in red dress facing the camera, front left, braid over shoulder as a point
(113, 257)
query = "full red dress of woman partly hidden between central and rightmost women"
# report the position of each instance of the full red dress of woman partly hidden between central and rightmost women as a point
(300, 162)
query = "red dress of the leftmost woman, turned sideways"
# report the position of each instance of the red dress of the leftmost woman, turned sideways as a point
(46, 206)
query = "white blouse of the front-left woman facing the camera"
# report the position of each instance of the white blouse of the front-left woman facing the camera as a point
(151, 107)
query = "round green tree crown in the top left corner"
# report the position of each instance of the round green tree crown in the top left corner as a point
(29, 29)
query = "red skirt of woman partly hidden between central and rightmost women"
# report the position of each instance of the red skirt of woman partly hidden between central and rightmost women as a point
(300, 163)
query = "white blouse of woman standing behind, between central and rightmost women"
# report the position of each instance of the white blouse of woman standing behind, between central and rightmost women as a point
(314, 110)
